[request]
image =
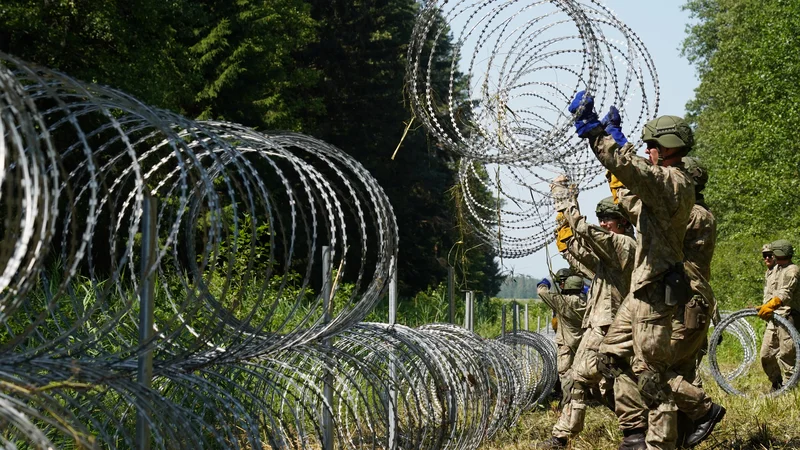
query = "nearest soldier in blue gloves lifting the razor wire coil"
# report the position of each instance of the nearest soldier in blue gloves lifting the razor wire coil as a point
(661, 195)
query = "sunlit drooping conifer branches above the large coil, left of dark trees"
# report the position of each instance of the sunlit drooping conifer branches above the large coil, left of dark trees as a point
(245, 62)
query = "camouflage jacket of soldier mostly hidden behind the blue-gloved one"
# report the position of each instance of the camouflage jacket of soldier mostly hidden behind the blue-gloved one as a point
(698, 249)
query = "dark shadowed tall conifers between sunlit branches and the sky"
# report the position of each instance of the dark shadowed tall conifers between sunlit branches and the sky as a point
(362, 52)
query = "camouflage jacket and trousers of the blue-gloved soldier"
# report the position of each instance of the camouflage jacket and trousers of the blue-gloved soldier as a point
(659, 201)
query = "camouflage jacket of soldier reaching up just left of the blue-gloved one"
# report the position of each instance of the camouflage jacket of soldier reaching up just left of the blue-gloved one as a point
(612, 256)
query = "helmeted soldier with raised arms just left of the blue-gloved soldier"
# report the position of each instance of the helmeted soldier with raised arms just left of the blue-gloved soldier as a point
(608, 250)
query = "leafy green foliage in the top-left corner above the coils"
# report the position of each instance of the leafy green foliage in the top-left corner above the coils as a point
(136, 45)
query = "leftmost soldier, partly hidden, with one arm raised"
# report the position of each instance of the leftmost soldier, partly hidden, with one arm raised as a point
(569, 306)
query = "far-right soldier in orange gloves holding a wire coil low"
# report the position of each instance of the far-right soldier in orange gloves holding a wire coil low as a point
(782, 297)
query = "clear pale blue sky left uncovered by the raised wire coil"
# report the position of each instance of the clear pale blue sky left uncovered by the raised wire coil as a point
(661, 27)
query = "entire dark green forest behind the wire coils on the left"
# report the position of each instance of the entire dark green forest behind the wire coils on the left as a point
(334, 70)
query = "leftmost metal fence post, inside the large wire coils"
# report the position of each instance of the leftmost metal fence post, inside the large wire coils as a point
(149, 251)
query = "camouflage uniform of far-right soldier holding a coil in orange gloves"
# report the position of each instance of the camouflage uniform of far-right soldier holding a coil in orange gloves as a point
(777, 348)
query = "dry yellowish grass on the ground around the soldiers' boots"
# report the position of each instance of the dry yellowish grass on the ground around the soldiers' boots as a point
(749, 424)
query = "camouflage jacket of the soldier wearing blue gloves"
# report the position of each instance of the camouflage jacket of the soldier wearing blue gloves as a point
(658, 200)
